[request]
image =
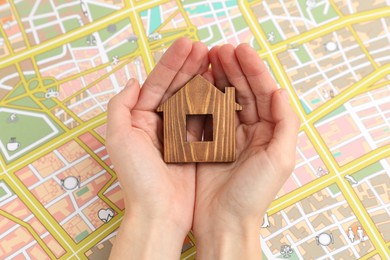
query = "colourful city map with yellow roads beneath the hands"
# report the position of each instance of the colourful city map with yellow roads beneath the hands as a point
(62, 60)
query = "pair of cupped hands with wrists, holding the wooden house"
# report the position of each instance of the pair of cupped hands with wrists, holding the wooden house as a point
(223, 203)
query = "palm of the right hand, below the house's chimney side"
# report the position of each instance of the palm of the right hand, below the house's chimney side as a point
(236, 185)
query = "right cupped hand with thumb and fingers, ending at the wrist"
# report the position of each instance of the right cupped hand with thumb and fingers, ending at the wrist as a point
(233, 197)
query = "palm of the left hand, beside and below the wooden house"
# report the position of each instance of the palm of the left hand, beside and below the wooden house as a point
(168, 187)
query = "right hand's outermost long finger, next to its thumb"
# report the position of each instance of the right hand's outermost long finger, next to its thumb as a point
(259, 79)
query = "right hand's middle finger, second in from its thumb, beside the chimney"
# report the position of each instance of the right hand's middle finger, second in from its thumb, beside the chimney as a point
(237, 78)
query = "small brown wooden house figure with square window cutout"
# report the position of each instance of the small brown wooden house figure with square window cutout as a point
(200, 97)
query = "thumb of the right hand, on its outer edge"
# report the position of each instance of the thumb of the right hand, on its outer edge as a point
(284, 139)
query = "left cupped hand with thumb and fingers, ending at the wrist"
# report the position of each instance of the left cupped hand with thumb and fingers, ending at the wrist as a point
(154, 191)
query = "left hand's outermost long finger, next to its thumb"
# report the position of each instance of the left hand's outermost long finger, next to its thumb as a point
(163, 74)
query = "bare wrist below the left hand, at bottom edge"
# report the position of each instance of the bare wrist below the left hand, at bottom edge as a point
(142, 238)
